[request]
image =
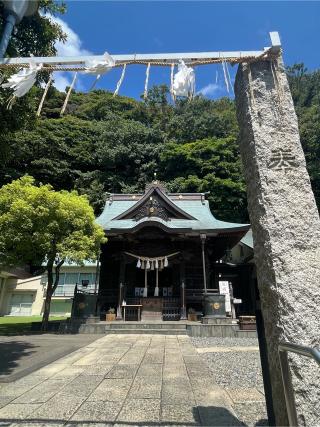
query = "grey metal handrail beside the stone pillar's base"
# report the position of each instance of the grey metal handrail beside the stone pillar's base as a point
(283, 349)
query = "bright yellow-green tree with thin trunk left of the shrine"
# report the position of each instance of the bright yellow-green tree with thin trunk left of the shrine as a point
(39, 226)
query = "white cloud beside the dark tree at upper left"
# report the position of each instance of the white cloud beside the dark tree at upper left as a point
(71, 47)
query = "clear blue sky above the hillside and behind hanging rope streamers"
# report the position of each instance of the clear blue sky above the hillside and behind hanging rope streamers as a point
(182, 26)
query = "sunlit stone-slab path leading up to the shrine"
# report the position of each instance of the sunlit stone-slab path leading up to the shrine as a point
(121, 380)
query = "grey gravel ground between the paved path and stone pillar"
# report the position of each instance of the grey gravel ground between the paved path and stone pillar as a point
(239, 371)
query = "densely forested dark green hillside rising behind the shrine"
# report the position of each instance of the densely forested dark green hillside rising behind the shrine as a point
(106, 144)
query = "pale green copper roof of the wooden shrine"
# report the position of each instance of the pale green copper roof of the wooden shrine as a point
(192, 204)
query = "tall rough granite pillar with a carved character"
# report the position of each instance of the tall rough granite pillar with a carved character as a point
(286, 228)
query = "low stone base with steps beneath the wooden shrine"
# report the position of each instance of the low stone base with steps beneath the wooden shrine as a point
(194, 329)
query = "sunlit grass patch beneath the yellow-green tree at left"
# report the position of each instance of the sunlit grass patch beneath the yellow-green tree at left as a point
(20, 325)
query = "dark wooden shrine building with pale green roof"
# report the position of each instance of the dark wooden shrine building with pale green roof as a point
(163, 253)
